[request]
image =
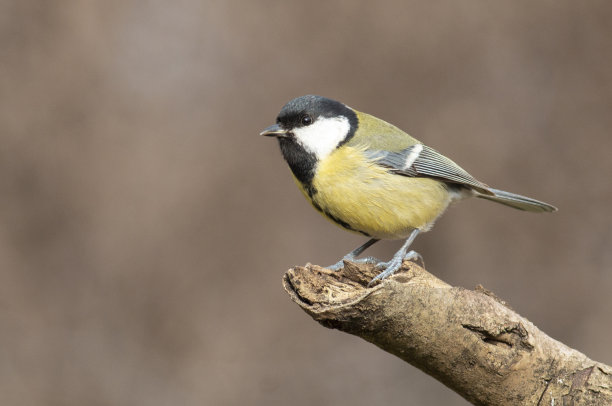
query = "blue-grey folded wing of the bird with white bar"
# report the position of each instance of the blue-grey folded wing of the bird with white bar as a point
(419, 160)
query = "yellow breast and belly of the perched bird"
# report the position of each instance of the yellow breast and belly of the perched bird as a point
(371, 200)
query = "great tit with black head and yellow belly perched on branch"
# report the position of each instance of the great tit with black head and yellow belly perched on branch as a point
(370, 177)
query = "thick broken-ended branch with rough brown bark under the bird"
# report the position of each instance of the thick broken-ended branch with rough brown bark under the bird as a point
(469, 340)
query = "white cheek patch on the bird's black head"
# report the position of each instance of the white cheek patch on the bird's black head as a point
(324, 135)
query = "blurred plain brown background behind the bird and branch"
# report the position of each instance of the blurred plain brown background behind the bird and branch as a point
(145, 225)
